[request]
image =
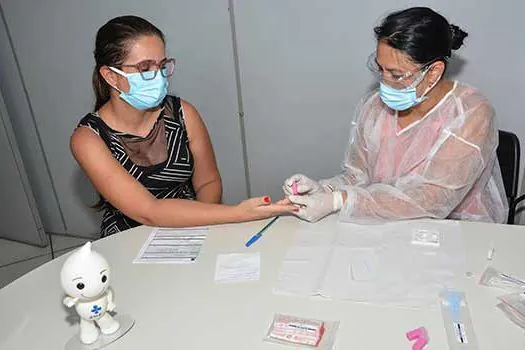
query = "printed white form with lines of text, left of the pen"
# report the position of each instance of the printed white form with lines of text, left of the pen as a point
(172, 246)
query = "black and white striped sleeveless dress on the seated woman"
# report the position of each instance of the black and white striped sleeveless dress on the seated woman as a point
(170, 178)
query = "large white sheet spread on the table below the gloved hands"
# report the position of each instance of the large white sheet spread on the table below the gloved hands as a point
(374, 263)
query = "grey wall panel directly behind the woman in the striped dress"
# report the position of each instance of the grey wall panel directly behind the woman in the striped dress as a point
(54, 42)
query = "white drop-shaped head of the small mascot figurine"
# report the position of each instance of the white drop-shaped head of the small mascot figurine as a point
(85, 274)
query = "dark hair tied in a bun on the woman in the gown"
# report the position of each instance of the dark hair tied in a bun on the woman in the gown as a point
(421, 33)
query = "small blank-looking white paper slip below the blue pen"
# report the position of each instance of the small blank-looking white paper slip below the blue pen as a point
(237, 267)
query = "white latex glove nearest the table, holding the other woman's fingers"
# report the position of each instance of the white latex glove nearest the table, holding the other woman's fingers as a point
(318, 205)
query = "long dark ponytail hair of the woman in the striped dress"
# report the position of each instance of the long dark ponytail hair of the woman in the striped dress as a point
(112, 46)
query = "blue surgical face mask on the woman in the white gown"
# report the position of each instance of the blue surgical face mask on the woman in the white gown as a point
(403, 99)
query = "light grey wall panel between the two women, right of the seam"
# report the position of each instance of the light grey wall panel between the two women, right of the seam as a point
(302, 72)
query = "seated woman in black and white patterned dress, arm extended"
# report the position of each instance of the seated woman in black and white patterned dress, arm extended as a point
(147, 153)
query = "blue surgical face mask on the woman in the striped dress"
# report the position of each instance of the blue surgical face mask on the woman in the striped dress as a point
(143, 94)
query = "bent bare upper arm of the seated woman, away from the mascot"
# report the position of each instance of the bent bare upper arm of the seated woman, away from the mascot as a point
(206, 178)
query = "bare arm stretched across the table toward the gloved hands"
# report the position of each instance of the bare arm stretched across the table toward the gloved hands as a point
(126, 194)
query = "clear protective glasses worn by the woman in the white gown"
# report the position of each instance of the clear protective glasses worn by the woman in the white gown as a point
(397, 78)
